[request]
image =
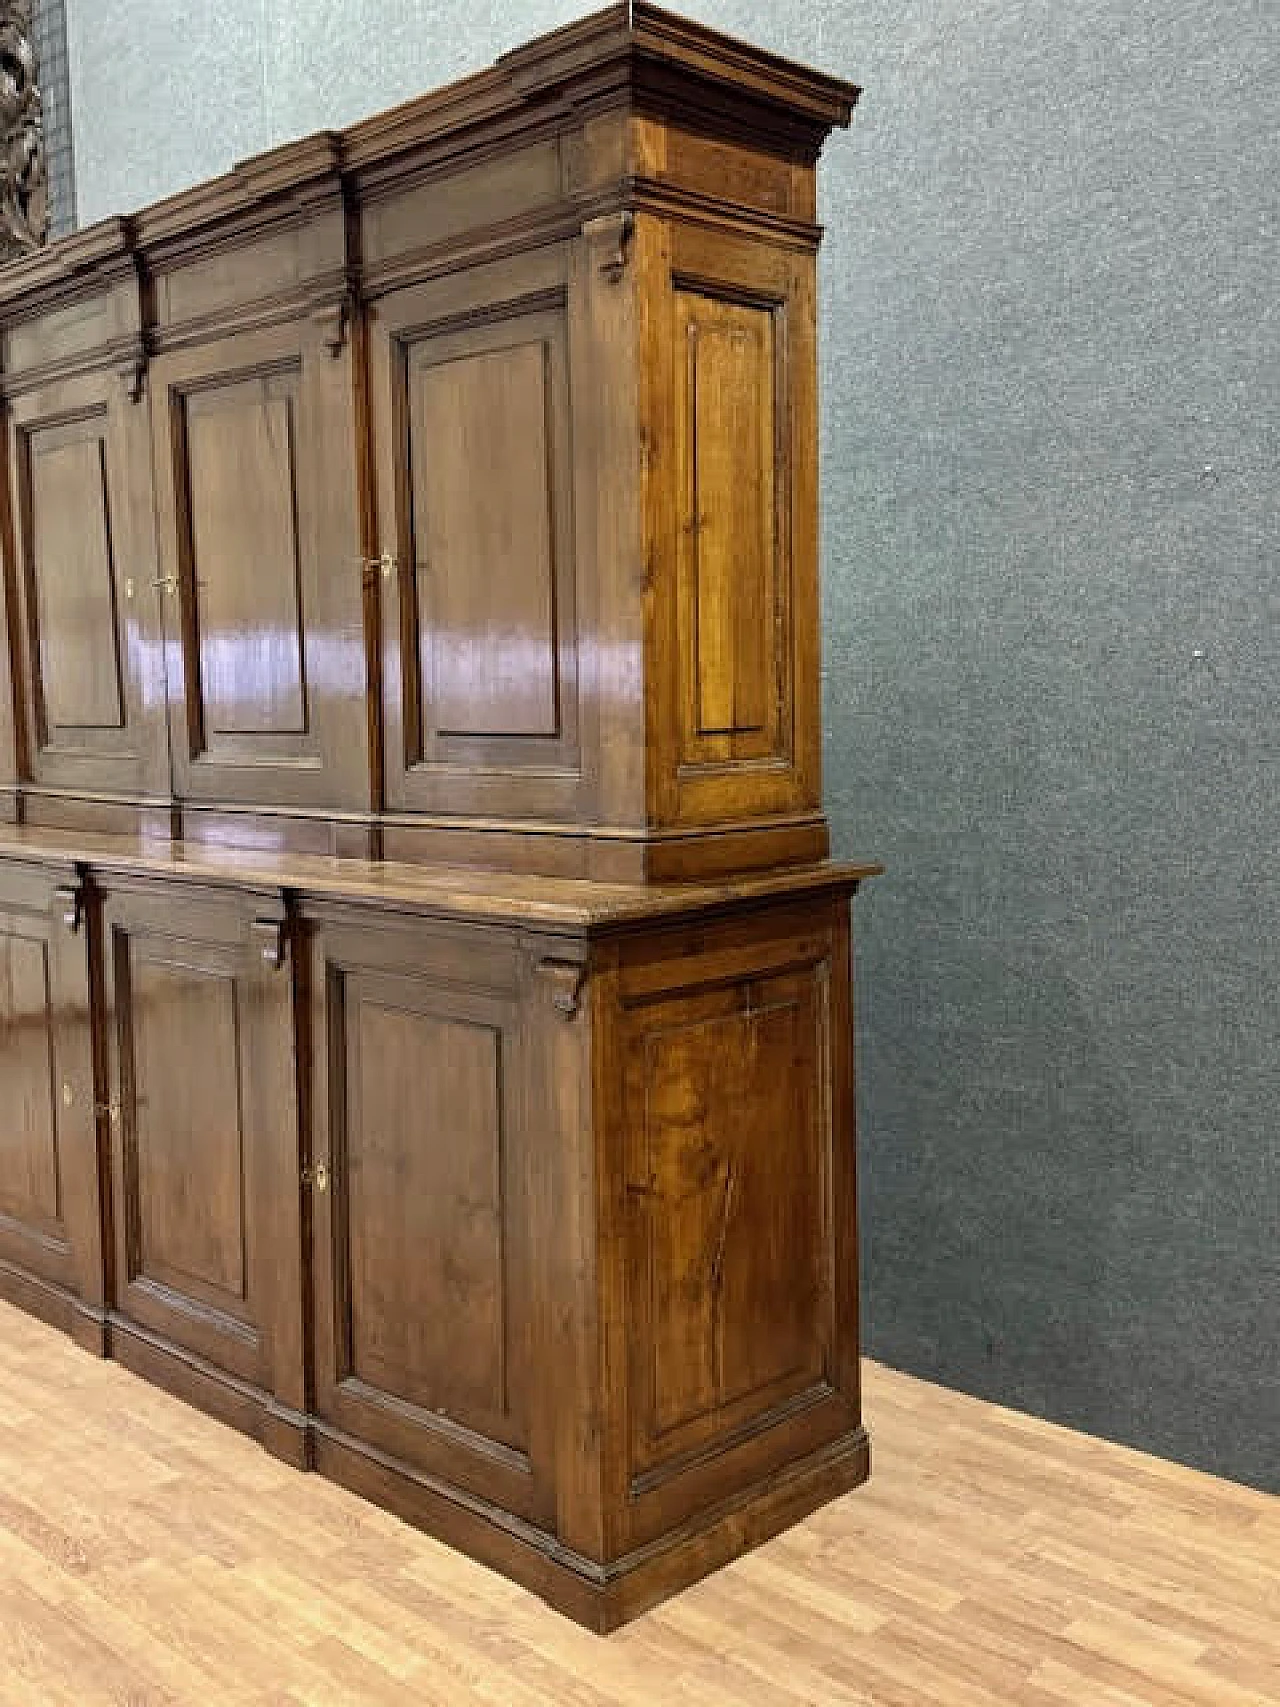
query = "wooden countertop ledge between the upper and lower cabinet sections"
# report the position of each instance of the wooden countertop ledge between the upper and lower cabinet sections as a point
(574, 906)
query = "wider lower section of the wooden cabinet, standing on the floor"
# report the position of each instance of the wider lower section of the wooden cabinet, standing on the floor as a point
(540, 1235)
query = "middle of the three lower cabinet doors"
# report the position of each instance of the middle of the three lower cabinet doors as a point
(204, 1133)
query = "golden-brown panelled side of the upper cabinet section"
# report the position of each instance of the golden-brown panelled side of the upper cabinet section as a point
(731, 520)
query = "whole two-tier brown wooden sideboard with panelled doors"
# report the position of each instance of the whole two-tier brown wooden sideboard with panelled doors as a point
(424, 991)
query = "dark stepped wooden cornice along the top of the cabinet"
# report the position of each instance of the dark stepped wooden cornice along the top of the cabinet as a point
(632, 54)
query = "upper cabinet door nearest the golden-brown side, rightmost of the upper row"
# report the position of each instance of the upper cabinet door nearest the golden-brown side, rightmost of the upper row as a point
(475, 472)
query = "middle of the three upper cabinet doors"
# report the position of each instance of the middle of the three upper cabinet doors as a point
(260, 552)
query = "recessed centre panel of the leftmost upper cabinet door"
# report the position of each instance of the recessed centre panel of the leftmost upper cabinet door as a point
(81, 679)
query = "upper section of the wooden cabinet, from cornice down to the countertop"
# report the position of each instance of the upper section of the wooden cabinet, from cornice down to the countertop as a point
(445, 487)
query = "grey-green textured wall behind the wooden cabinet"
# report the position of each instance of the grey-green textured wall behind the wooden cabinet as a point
(1052, 445)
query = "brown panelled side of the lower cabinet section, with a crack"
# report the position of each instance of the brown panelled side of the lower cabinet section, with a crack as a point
(733, 1136)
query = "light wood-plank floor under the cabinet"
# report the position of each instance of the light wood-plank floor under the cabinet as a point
(149, 1556)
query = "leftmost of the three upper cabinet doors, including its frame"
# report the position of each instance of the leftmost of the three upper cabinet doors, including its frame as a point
(91, 670)
